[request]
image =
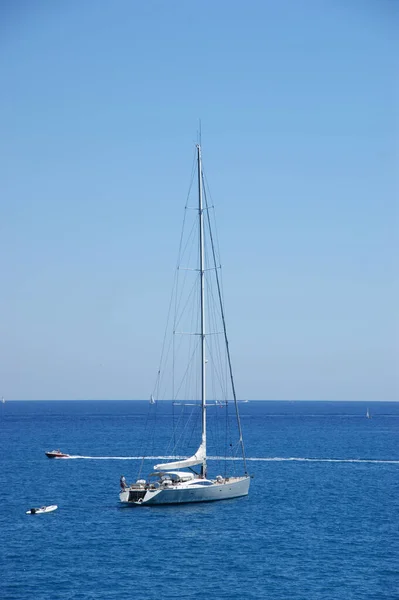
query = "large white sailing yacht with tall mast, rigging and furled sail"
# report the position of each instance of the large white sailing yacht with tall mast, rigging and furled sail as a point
(183, 480)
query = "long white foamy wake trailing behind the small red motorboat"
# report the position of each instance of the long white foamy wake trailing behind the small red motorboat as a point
(254, 459)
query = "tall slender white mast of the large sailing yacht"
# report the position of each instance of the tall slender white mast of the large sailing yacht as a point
(202, 296)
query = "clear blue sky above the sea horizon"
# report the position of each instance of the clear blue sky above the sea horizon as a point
(98, 115)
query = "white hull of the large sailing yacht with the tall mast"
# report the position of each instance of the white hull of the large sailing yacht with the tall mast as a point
(182, 493)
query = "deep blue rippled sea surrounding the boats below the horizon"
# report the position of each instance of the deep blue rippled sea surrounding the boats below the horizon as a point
(320, 521)
